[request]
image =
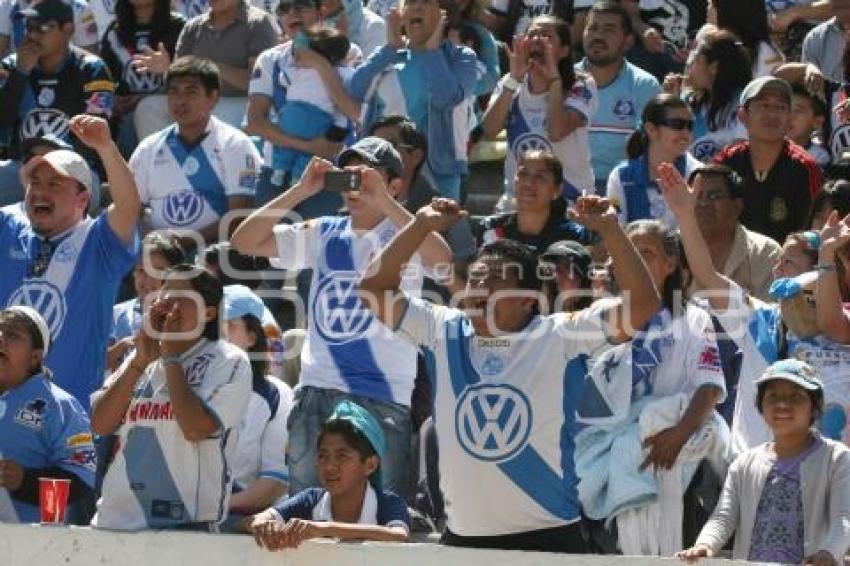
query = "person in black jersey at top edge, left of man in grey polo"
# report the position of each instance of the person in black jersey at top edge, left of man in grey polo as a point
(138, 28)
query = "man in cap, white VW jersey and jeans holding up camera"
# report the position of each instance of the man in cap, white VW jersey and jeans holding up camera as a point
(347, 353)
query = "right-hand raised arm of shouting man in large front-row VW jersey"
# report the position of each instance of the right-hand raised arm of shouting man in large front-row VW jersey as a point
(640, 299)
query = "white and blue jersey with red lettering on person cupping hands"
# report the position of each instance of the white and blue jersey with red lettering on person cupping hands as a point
(158, 478)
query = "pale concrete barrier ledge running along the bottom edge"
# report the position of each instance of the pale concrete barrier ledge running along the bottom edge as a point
(69, 546)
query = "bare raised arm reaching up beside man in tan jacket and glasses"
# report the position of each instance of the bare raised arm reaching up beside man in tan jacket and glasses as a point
(681, 200)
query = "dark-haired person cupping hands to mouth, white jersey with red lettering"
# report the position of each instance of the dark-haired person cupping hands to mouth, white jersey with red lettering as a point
(180, 396)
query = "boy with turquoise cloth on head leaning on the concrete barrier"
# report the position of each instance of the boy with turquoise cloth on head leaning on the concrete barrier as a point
(351, 504)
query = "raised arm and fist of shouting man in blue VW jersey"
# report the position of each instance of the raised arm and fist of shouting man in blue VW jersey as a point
(123, 214)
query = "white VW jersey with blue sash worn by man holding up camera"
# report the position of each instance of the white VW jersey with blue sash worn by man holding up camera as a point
(346, 348)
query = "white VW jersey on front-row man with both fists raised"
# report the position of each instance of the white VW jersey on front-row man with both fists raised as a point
(504, 409)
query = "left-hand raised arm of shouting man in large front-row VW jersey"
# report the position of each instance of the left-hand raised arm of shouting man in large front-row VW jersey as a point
(379, 288)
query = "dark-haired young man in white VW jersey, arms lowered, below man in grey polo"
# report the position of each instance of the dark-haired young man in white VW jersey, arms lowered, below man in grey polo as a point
(200, 172)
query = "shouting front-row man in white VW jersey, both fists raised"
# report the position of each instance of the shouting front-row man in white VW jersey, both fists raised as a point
(506, 381)
